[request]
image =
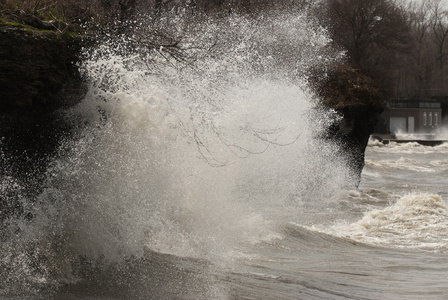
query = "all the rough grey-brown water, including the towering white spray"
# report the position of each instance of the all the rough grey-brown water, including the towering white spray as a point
(206, 179)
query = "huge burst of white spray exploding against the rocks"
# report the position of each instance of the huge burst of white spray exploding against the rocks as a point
(184, 155)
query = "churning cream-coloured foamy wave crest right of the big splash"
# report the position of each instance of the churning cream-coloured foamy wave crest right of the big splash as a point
(413, 221)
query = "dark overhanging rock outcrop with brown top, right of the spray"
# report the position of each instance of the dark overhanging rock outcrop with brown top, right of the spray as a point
(357, 99)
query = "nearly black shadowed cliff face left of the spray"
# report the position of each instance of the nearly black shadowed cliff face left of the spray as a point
(38, 76)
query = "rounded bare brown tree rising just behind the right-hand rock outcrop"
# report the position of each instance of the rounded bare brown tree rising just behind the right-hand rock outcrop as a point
(372, 32)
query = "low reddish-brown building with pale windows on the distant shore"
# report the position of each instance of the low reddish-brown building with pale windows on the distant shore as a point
(411, 117)
